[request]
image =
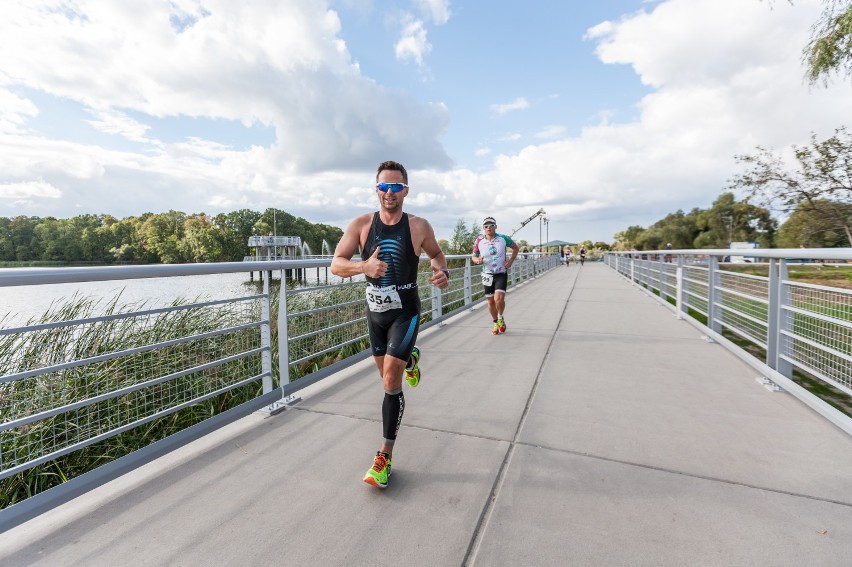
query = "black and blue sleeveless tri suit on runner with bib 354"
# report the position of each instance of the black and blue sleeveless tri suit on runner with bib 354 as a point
(393, 314)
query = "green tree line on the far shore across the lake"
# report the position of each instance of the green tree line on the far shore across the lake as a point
(172, 237)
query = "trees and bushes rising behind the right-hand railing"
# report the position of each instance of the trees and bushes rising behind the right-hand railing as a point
(813, 192)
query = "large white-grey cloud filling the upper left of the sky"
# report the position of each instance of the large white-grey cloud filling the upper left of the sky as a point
(277, 63)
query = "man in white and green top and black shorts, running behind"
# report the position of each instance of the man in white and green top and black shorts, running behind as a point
(490, 251)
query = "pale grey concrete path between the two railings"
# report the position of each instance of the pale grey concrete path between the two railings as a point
(599, 430)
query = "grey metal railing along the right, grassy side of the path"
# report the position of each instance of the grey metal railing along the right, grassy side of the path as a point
(798, 329)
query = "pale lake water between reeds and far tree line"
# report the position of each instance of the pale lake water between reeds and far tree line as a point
(21, 303)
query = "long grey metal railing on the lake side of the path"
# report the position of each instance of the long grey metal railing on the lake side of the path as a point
(76, 378)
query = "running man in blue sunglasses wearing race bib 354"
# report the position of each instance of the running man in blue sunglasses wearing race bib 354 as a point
(390, 242)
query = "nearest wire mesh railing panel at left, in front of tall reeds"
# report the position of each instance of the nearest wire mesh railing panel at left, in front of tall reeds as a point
(75, 382)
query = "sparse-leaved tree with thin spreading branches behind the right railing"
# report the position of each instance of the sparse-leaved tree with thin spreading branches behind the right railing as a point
(823, 178)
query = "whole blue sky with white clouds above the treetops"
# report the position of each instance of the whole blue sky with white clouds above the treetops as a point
(606, 114)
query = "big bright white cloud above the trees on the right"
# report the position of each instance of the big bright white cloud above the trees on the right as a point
(726, 76)
